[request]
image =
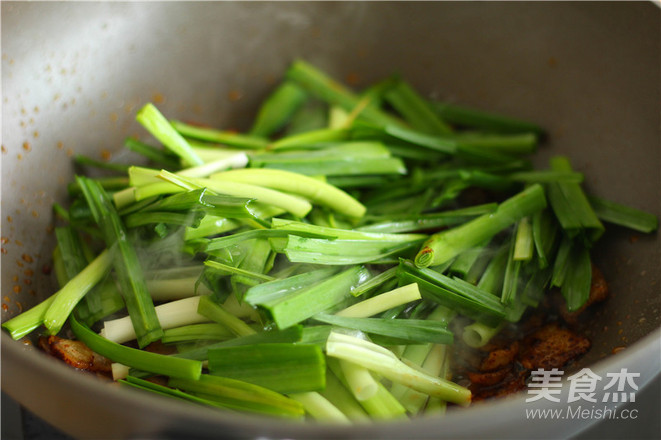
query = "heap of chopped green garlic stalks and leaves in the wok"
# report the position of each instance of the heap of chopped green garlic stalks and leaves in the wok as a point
(310, 267)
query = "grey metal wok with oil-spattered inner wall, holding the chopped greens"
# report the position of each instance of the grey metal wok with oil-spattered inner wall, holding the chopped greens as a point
(73, 75)
